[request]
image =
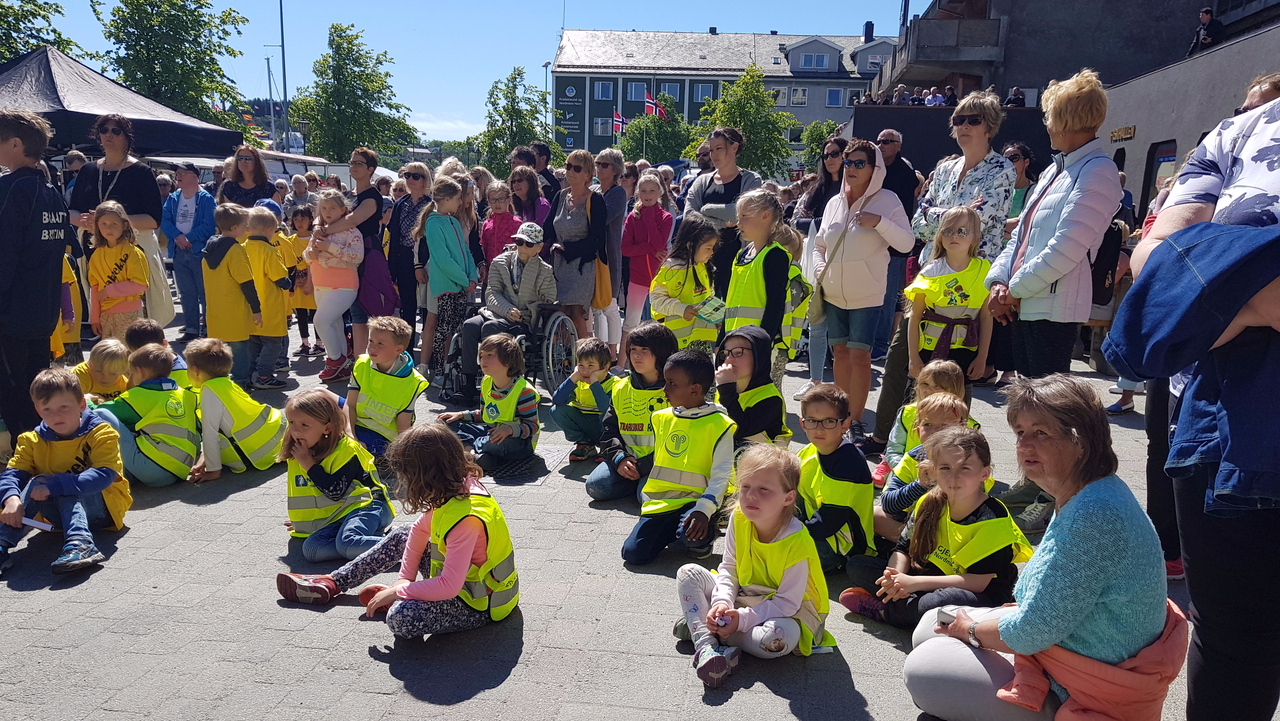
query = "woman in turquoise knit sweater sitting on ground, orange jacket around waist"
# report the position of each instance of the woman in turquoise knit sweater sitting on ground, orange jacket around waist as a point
(1090, 601)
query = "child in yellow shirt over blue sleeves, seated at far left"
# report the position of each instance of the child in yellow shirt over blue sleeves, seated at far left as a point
(67, 472)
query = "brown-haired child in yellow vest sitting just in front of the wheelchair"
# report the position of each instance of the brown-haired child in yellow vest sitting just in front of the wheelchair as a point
(508, 430)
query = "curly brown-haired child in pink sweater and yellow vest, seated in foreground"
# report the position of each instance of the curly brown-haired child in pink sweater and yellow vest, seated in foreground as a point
(460, 519)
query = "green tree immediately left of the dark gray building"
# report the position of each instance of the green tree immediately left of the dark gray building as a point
(516, 116)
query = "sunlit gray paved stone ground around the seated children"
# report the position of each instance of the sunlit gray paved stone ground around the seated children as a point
(185, 622)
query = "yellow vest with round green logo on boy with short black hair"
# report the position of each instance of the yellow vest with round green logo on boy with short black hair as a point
(683, 459)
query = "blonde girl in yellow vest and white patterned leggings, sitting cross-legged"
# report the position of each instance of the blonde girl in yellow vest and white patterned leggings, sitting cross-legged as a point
(770, 596)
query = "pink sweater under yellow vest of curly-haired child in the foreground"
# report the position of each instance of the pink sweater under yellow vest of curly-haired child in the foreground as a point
(464, 547)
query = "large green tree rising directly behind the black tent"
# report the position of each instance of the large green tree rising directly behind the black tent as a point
(170, 52)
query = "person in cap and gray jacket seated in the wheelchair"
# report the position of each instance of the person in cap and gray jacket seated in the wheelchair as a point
(519, 281)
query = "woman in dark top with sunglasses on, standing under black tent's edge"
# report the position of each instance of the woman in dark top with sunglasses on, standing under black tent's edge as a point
(121, 177)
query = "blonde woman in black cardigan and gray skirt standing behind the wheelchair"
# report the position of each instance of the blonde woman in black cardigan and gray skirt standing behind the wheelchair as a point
(577, 231)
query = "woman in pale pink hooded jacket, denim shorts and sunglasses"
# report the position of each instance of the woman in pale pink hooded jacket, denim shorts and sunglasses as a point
(851, 261)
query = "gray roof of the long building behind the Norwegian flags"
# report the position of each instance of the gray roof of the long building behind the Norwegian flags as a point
(689, 53)
